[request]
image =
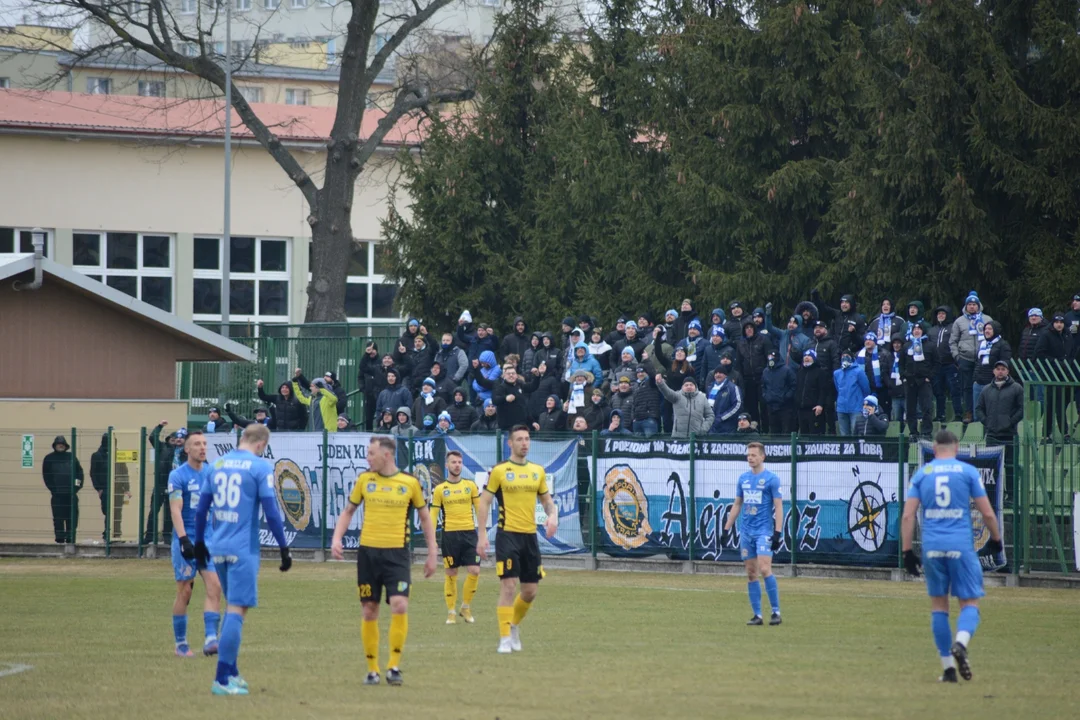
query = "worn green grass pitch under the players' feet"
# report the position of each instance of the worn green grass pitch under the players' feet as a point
(598, 645)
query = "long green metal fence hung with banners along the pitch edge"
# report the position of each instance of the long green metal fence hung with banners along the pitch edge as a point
(617, 496)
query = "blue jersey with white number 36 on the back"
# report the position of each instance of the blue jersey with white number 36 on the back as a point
(238, 482)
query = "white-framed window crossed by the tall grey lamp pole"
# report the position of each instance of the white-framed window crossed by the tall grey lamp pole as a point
(259, 280)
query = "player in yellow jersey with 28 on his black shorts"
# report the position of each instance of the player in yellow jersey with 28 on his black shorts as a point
(383, 560)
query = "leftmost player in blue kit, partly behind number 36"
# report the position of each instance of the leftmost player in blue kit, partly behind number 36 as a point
(184, 486)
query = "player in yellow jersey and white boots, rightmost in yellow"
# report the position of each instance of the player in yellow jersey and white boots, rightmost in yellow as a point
(517, 485)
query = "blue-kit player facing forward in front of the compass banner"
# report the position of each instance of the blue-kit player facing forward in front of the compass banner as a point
(760, 509)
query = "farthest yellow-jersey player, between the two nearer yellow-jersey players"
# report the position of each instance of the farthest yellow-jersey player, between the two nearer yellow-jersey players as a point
(455, 499)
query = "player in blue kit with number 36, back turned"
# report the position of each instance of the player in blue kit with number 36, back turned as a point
(240, 483)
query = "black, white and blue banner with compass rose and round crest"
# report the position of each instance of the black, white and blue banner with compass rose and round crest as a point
(847, 509)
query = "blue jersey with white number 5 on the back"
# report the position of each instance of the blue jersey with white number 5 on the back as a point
(946, 490)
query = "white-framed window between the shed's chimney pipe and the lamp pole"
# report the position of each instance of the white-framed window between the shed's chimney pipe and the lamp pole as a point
(136, 264)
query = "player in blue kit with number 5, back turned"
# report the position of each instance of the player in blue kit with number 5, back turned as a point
(944, 490)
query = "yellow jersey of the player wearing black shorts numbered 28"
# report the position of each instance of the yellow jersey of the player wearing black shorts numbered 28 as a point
(387, 500)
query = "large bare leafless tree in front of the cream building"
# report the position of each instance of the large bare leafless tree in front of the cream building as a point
(158, 29)
